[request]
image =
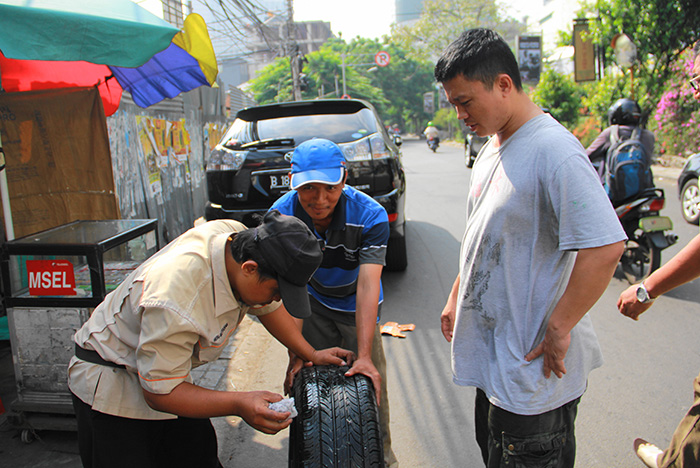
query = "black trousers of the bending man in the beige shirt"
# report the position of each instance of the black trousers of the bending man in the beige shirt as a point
(106, 441)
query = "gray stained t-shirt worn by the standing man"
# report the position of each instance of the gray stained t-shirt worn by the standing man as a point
(532, 204)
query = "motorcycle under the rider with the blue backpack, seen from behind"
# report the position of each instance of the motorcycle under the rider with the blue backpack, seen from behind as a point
(647, 232)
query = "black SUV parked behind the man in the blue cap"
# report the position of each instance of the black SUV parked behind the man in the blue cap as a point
(247, 171)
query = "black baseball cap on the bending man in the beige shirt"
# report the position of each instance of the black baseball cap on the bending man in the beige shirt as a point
(294, 253)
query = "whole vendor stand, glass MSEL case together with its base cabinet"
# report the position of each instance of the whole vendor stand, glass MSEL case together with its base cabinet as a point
(52, 280)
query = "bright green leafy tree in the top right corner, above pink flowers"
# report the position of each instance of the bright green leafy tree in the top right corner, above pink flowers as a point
(661, 30)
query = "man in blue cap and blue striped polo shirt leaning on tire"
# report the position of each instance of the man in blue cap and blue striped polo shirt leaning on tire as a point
(345, 292)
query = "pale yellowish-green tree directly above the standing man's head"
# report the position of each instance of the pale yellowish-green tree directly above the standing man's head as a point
(443, 20)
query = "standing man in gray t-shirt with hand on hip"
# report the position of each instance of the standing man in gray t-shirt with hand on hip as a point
(541, 244)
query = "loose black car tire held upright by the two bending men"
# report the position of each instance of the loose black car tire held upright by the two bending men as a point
(338, 421)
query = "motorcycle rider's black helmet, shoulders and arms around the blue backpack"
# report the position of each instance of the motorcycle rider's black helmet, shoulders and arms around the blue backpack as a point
(626, 115)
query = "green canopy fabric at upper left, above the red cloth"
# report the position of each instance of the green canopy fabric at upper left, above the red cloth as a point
(85, 30)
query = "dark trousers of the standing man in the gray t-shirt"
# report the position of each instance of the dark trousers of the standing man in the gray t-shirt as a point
(512, 440)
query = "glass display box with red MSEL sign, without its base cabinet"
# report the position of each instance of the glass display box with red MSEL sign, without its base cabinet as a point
(77, 264)
